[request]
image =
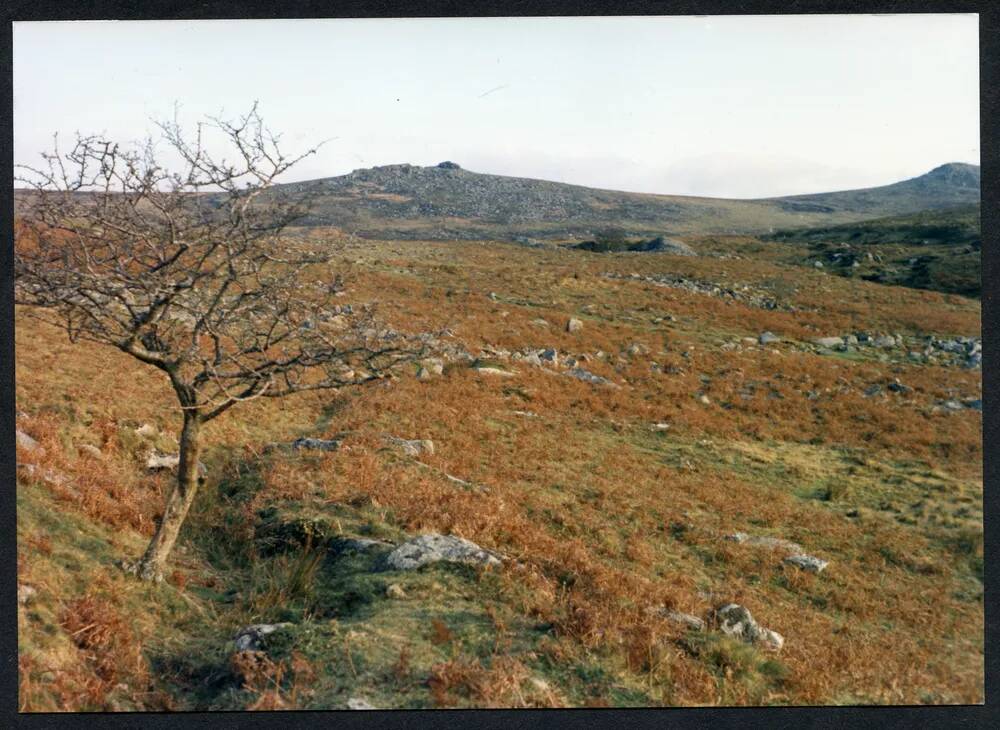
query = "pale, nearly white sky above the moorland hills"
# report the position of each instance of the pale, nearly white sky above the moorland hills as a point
(723, 106)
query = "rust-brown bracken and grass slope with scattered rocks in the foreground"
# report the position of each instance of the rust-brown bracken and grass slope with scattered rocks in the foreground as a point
(672, 454)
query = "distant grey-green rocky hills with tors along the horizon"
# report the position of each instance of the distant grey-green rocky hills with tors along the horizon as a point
(448, 202)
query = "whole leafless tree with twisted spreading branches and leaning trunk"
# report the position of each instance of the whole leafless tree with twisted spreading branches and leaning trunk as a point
(192, 272)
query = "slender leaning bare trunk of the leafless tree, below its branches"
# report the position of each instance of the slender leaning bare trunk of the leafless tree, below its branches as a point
(150, 566)
